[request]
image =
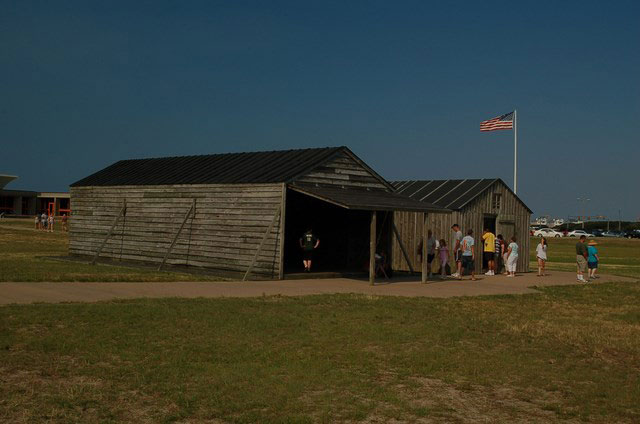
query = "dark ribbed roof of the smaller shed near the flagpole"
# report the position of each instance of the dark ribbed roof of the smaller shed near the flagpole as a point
(450, 194)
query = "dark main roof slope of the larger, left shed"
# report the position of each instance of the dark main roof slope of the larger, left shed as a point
(228, 168)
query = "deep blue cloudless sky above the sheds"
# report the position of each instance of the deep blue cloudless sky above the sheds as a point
(403, 84)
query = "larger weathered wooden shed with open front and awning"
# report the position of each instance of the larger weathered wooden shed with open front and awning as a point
(238, 212)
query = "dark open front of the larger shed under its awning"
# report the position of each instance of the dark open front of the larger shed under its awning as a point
(343, 234)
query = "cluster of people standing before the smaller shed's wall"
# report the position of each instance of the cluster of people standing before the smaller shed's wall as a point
(496, 252)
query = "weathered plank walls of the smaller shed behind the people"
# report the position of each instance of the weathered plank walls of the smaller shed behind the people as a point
(512, 218)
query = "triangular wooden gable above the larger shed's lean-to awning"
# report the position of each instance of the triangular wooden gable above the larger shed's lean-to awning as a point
(342, 171)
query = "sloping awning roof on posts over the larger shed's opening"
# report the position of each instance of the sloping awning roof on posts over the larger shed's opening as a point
(357, 199)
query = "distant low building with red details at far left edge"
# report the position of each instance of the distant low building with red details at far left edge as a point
(25, 202)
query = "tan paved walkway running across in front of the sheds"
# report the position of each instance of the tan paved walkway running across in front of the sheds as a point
(93, 292)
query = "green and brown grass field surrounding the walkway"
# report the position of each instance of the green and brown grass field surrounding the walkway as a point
(568, 353)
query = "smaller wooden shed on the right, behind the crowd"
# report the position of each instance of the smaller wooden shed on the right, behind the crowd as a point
(475, 204)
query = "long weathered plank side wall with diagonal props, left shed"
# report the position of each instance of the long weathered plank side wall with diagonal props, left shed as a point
(230, 221)
